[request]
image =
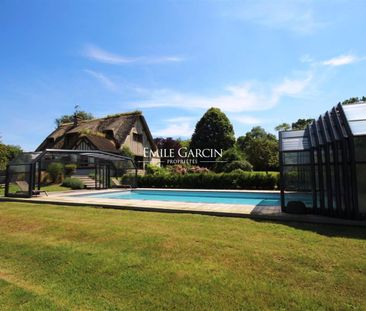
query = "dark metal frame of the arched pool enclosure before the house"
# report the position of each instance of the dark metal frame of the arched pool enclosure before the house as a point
(102, 168)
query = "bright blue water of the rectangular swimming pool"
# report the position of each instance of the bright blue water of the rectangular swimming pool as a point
(246, 198)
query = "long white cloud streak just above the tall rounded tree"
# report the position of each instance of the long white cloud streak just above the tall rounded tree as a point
(235, 98)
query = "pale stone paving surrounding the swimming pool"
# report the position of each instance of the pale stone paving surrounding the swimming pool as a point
(215, 209)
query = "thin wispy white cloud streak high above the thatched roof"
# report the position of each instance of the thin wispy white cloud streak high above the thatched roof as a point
(95, 53)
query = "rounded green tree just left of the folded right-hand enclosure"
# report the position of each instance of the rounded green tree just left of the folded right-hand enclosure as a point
(260, 148)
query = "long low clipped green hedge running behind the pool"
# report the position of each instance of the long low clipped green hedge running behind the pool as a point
(235, 180)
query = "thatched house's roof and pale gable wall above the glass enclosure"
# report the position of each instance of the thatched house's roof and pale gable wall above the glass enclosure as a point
(108, 134)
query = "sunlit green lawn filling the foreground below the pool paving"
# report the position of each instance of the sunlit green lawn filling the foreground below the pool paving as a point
(77, 258)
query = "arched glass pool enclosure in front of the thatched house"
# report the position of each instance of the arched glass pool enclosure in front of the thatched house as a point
(25, 173)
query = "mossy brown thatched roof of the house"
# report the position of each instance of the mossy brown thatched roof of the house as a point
(106, 134)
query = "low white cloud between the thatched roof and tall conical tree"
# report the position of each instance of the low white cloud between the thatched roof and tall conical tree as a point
(176, 127)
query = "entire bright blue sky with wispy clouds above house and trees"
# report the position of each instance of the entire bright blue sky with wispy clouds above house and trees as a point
(261, 62)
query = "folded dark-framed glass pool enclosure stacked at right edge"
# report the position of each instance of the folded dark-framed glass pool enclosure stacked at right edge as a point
(324, 166)
